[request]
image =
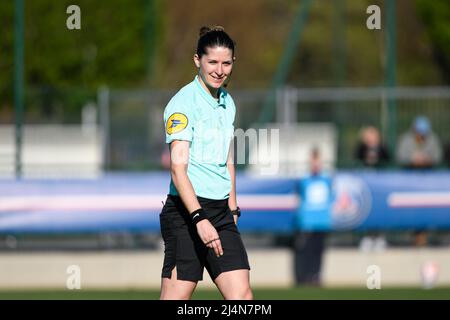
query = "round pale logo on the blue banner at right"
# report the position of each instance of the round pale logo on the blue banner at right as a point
(352, 204)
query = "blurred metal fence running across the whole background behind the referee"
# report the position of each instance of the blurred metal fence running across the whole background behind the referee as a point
(131, 121)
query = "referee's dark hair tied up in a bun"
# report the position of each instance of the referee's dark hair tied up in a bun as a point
(211, 37)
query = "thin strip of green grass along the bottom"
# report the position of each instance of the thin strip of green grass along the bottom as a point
(260, 293)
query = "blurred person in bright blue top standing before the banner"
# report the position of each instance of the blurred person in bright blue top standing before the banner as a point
(313, 222)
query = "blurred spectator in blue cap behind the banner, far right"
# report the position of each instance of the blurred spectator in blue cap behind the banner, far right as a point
(419, 148)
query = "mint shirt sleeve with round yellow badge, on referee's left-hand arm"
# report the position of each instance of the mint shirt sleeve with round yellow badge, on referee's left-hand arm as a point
(178, 121)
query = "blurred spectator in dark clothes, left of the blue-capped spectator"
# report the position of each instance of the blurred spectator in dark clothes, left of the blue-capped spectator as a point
(370, 151)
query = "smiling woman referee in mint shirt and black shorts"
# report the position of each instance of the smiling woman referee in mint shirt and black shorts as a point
(198, 220)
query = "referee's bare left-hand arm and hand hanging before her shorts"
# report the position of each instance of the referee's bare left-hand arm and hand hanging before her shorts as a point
(179, 159)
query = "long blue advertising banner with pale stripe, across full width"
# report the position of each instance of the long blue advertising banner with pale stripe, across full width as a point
(359, 200)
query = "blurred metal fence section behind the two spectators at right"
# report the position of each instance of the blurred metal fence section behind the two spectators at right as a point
(350, 109)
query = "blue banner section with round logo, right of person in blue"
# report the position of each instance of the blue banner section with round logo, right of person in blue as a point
(393, 200)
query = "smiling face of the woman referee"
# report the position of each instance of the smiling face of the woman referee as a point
(214, 68)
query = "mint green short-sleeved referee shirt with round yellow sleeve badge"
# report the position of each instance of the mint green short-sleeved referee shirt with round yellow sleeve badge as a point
(194, 115)
